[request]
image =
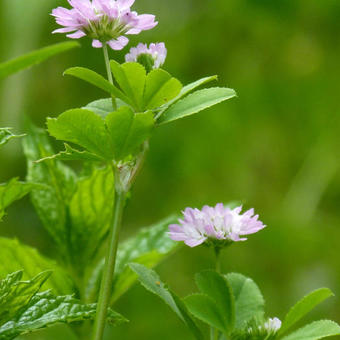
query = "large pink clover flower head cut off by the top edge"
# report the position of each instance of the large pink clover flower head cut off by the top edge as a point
(104, 21)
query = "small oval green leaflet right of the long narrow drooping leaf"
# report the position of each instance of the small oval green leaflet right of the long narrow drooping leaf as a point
(205, 309)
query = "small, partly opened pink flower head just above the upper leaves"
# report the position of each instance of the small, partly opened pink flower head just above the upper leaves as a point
(154, 55)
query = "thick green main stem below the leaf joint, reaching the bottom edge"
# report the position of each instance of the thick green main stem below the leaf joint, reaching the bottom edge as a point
(107, 280)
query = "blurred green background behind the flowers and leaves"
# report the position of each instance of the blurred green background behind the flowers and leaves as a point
(275, 147)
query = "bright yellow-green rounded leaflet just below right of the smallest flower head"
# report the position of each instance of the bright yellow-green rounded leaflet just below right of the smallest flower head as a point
(160, 88)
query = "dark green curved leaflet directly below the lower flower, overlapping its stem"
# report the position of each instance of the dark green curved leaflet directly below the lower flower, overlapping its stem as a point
(217, 288)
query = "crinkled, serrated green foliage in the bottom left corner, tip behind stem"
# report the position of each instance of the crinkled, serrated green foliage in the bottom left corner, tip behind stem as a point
(23, 309)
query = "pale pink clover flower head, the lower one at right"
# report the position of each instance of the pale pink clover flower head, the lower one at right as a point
(218, 224)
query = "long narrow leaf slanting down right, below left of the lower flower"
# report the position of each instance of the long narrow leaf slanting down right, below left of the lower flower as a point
(151, 281)
